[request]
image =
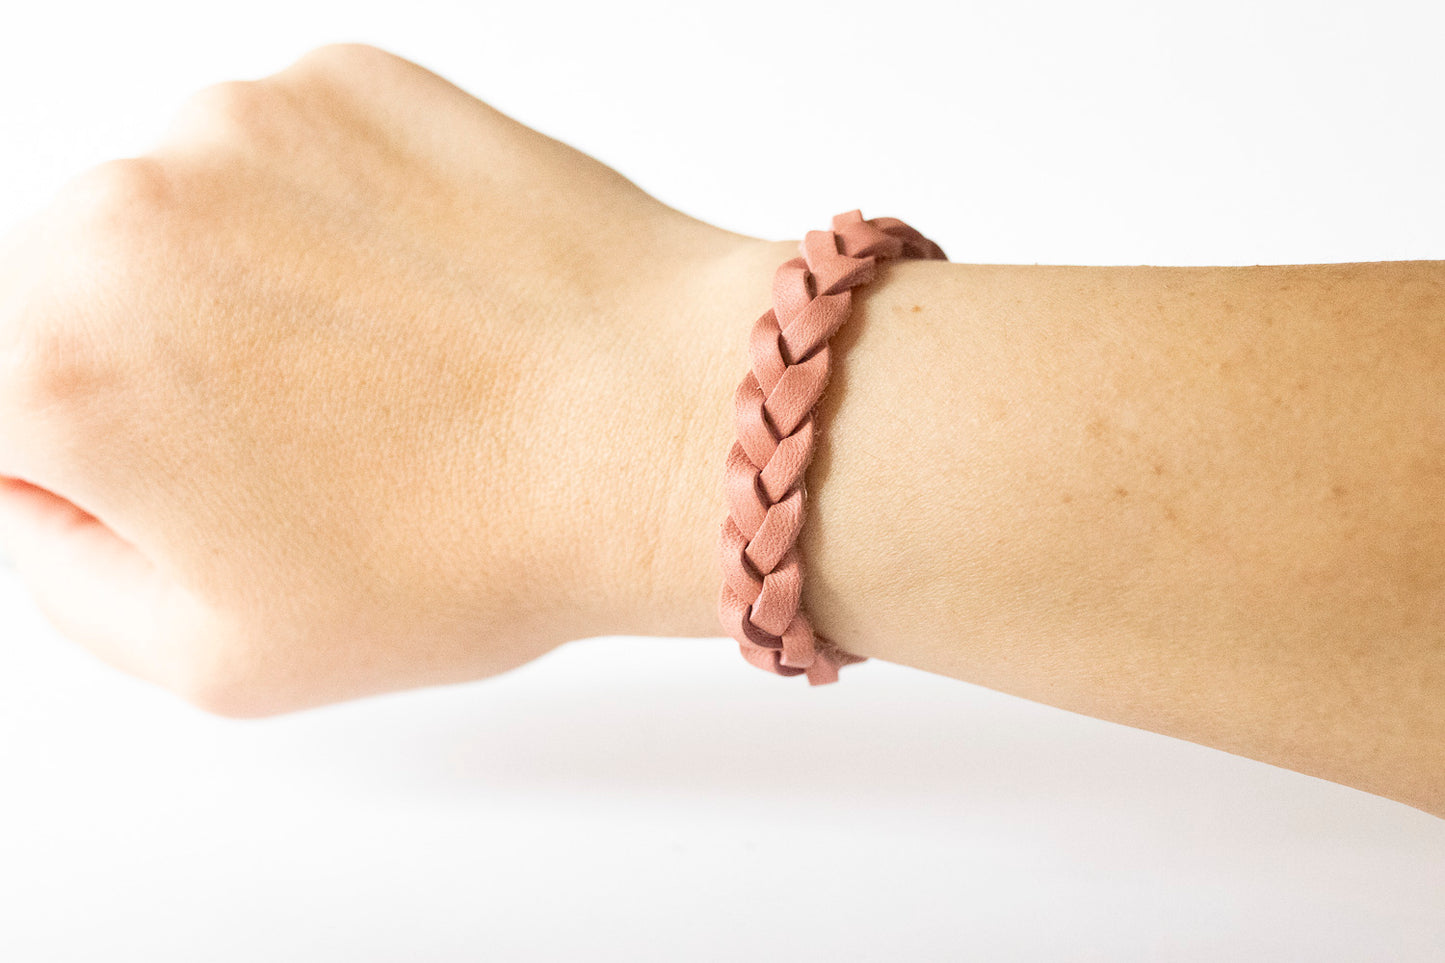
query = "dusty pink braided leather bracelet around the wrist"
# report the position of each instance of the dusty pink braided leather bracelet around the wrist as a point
(762, 573)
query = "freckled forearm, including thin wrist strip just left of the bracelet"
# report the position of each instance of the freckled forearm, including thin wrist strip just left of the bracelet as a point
(1207, 502)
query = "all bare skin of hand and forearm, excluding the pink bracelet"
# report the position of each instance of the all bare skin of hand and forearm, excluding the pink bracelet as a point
(356, 385)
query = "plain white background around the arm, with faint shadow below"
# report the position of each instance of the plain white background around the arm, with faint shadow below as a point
(660, 799)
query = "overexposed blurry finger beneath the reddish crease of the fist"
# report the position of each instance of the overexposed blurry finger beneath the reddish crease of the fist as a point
(92, 585)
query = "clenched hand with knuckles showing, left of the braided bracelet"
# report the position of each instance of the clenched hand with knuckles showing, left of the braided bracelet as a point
(352, 385)
